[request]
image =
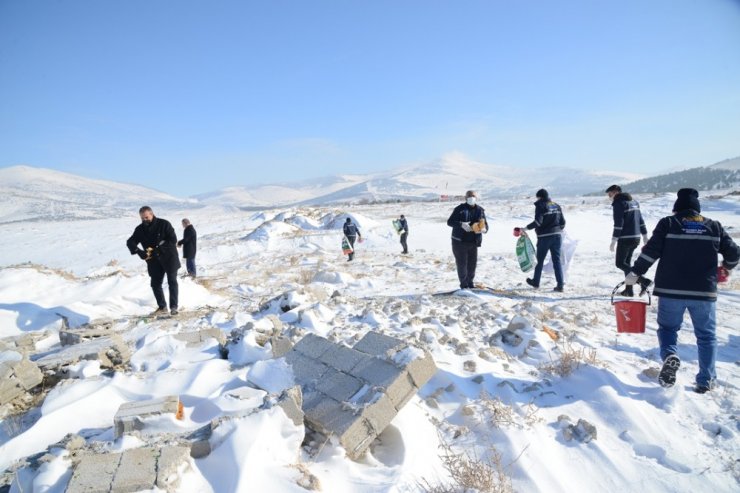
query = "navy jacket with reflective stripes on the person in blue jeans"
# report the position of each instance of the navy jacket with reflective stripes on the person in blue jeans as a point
(687, 245)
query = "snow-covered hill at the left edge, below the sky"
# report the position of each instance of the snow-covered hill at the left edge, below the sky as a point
(28, 193)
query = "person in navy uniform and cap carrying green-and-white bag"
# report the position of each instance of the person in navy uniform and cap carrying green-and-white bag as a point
(548, 223)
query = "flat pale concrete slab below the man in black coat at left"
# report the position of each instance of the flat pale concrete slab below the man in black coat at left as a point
(111, 351)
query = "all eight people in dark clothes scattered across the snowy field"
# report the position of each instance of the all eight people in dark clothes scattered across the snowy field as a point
(685, 244)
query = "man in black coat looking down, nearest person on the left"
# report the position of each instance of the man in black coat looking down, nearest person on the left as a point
(159, 242)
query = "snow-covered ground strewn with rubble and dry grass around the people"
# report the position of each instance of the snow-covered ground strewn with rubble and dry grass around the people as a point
(487, 396)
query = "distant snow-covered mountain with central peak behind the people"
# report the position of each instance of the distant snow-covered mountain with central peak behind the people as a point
(452, 174)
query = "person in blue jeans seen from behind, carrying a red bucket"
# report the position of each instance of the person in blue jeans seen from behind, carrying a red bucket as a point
(686, 246)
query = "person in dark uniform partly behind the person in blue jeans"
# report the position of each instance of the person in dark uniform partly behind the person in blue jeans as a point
(628, 227)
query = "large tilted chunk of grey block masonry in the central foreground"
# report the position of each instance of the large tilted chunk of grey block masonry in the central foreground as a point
(354, 393)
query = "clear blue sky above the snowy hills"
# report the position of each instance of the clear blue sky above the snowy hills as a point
(191, 96)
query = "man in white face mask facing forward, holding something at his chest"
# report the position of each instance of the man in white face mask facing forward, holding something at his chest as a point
(468, 223)
